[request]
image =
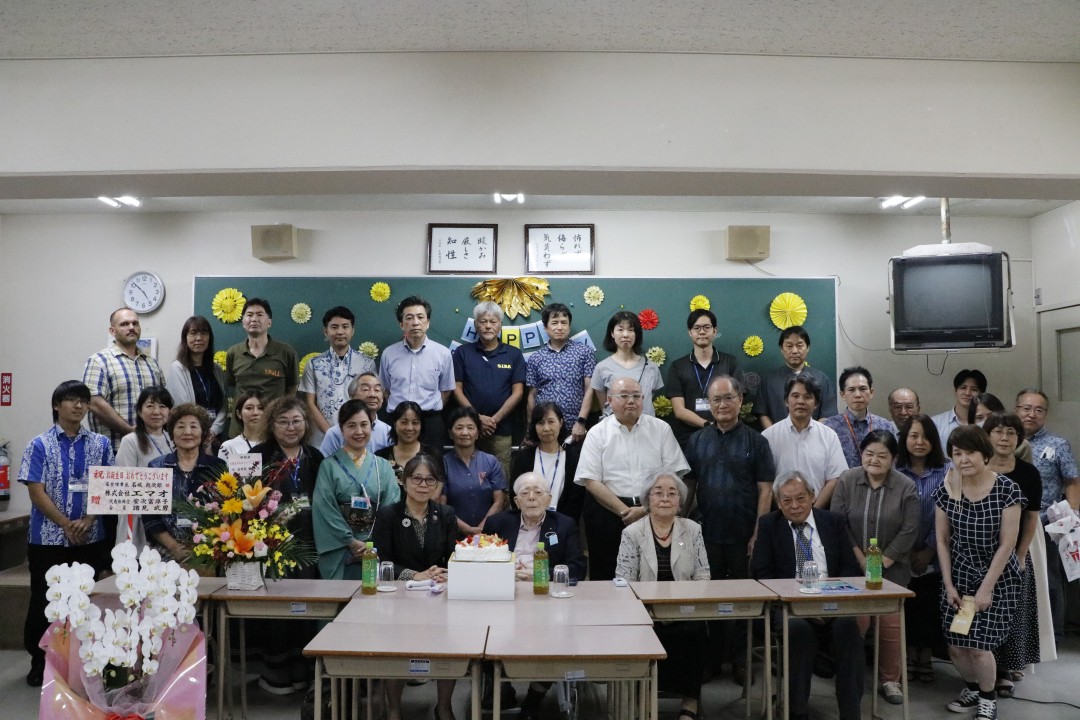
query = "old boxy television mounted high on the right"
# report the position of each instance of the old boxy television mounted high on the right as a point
(951, 303)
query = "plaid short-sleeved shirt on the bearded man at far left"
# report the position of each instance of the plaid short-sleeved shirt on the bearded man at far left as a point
(119, 379)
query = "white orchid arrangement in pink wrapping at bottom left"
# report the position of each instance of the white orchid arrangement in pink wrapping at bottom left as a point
(128, 657)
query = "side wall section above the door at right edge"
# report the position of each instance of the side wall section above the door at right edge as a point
(1056, 249)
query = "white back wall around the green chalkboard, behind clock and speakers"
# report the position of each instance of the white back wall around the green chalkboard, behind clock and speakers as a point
(62, 277)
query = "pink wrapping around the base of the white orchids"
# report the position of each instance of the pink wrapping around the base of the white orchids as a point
(178, 691)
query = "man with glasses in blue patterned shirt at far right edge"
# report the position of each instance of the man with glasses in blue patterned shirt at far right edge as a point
(1054, 456)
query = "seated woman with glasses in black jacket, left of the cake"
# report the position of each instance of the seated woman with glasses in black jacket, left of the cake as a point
(417, 535)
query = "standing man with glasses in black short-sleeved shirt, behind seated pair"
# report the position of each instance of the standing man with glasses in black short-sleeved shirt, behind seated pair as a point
(732, 473)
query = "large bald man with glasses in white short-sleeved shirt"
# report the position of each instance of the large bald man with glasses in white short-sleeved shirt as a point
(618, 455)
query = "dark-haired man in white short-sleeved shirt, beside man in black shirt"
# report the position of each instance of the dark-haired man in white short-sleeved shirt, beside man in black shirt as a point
(800, 443)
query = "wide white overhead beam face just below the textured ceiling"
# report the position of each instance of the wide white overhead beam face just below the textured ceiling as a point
(541, 111)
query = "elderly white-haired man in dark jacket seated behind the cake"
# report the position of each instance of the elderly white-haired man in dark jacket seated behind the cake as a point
(534, 523)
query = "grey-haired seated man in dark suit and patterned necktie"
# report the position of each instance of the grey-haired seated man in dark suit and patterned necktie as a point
(785, 539)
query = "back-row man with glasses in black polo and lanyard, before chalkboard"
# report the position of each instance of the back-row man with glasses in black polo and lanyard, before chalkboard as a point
(691, 376)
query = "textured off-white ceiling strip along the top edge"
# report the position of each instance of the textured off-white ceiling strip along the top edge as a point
(1023, 31)
